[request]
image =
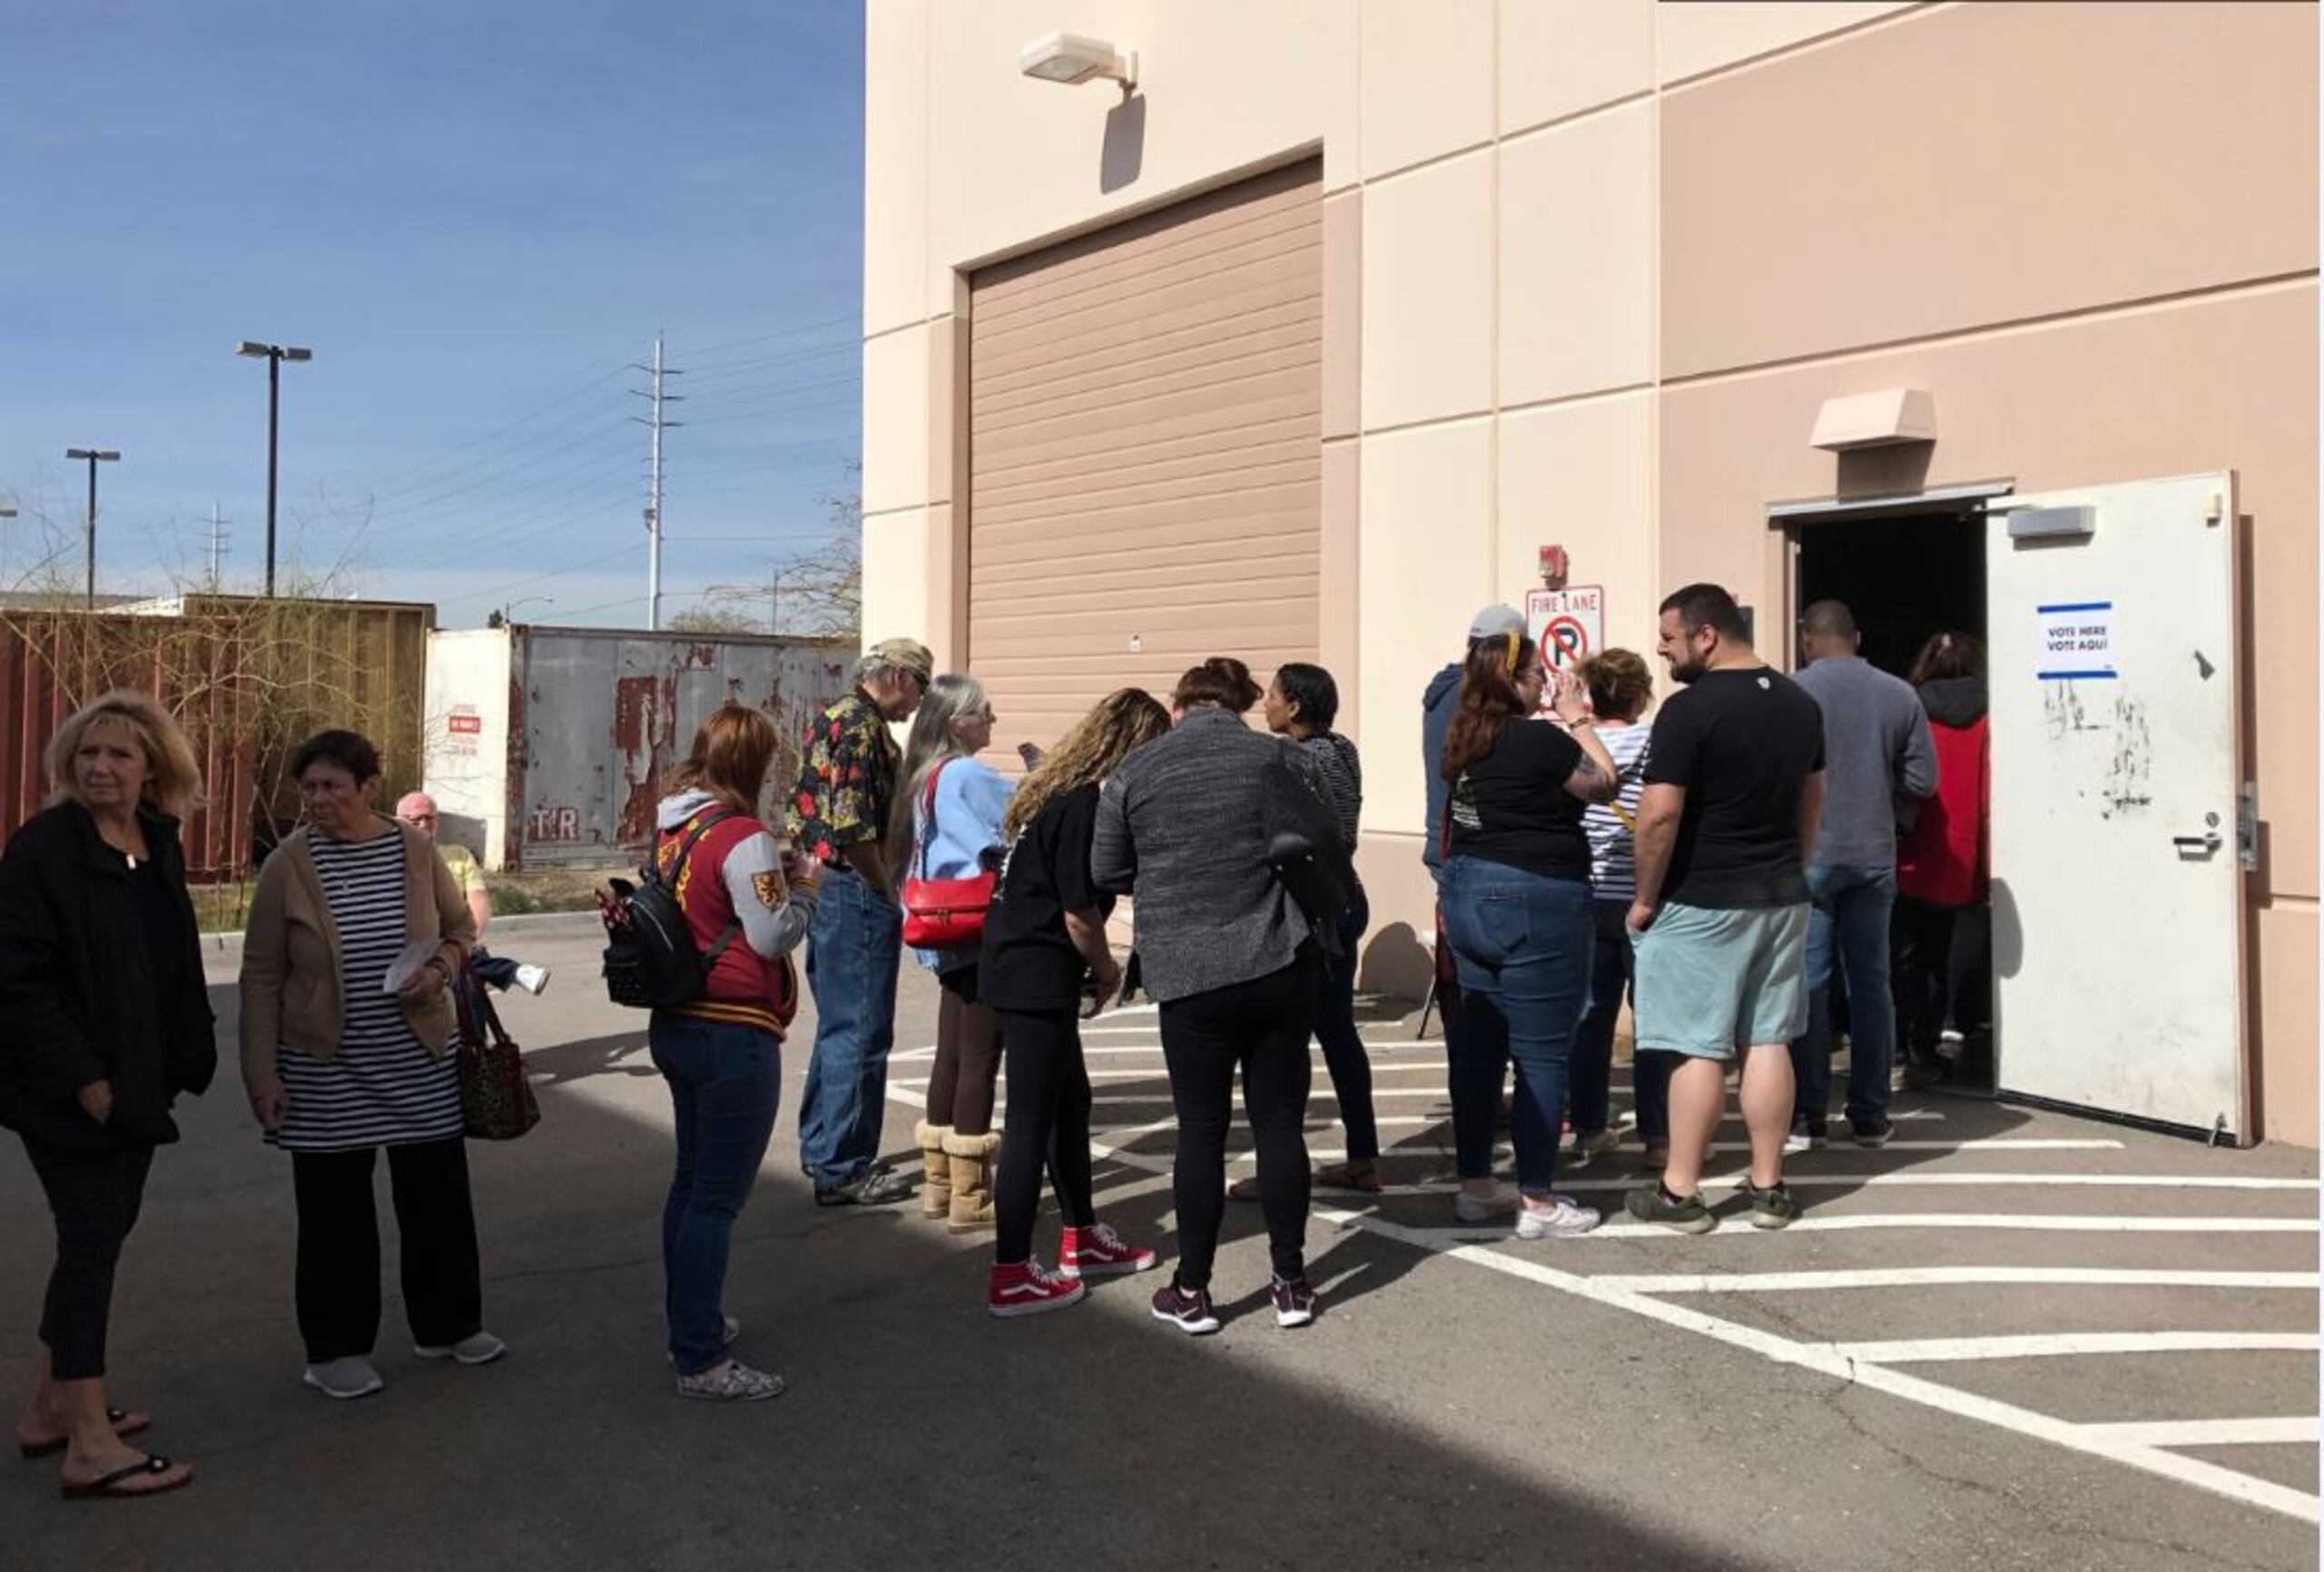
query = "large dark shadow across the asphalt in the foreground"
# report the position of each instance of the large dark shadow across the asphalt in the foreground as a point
(917, 1432)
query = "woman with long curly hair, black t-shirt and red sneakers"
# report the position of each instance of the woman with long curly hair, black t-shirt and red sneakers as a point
(1045, 965)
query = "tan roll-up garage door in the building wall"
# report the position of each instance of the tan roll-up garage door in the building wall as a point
(1145, 452)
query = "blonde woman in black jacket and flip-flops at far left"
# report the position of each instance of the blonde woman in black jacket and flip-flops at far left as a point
(108, 1023)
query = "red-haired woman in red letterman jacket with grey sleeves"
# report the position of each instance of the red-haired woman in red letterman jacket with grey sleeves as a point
(724, 1055)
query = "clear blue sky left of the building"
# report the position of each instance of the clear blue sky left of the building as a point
(478, 215)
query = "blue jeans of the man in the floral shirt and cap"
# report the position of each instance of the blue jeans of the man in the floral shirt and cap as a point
(852, 958)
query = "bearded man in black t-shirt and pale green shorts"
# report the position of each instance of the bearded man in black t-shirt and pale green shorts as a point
(1735, 786)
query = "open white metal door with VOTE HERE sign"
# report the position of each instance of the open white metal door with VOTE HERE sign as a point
(2118, 881)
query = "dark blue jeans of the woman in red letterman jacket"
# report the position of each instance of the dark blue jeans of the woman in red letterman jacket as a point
(724, 1086)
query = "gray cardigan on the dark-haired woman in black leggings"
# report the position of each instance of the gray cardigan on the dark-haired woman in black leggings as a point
(1184, 830)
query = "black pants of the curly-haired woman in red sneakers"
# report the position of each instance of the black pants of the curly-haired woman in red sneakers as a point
(1049, 1116)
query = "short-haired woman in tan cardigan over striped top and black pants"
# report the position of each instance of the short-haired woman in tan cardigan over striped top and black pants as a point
(350, 1048)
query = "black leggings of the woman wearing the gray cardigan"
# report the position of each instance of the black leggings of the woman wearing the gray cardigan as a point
(1263, 1030)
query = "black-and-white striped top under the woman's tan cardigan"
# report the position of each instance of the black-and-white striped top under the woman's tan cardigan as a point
(382, 1090)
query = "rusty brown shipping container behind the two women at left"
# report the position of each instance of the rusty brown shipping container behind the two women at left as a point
(248, 679)
